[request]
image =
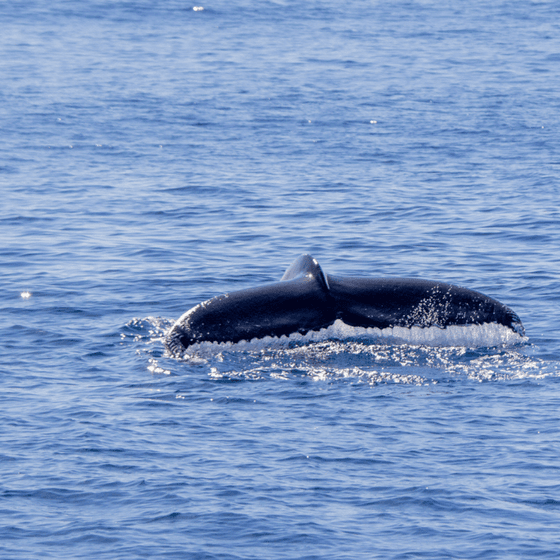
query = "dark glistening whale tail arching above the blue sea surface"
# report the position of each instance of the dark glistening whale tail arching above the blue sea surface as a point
(306, 299)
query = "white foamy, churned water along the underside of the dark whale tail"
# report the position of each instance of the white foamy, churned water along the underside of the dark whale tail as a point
(340, 353)
